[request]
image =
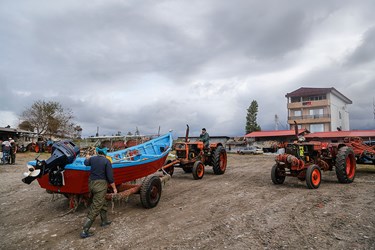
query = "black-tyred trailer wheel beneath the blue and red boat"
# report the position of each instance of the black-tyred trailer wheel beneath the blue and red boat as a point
(150, 191)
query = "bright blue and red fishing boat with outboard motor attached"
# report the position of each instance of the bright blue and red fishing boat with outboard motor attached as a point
(67, 174)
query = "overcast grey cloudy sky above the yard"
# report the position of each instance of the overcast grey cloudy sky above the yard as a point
(119, 65)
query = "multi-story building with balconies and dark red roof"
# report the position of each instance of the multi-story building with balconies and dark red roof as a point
(318, 109)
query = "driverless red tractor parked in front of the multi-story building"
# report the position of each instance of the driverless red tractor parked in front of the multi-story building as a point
(306, 160)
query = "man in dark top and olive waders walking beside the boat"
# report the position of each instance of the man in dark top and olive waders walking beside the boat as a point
(101, 174)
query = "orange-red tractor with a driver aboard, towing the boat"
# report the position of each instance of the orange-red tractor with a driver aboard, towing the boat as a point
(192, 157)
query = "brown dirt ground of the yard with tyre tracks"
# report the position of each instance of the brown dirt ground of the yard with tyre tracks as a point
(241, 209)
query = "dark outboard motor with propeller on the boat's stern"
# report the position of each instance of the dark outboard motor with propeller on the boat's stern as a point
(63, 153)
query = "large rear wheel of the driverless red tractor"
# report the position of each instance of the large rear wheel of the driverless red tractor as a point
(345, 165)
